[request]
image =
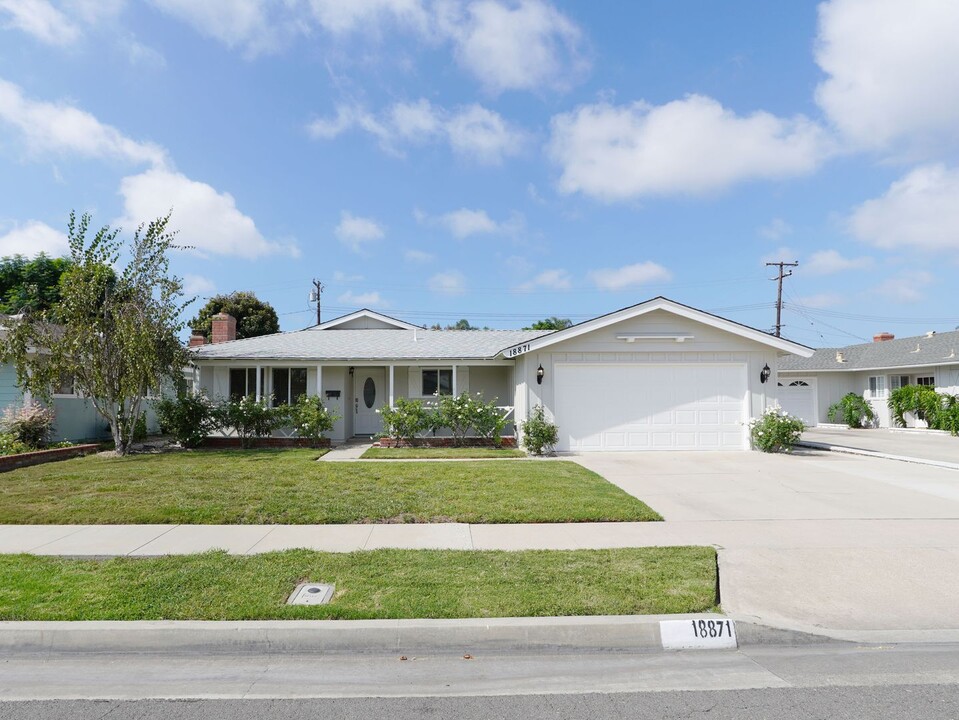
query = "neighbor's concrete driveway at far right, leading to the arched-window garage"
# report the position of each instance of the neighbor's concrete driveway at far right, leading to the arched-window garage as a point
(921, 445)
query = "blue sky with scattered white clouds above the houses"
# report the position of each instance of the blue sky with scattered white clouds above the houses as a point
(504, 160)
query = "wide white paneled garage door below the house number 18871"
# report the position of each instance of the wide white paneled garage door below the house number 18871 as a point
(650, 407)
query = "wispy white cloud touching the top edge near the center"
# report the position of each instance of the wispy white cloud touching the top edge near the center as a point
(525, 45)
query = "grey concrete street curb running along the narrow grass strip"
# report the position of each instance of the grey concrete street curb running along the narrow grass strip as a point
(637, 633)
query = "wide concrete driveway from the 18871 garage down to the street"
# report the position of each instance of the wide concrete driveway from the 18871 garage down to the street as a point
(856, 547)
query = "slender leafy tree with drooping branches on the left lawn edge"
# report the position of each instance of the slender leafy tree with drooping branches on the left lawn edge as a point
(115, 331)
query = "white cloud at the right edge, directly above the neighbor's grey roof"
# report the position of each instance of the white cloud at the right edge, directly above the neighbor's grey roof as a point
(920, 210)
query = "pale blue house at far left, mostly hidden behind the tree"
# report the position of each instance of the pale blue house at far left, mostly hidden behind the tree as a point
(76, 417)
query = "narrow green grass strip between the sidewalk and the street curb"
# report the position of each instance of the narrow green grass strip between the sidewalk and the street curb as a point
(377, 584)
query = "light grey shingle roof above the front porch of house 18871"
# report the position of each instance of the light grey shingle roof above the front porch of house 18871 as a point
(313, 344)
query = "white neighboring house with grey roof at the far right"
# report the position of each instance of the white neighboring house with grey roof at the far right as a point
(808, 386)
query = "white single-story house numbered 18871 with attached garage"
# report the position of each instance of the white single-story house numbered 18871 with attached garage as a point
(655, 376)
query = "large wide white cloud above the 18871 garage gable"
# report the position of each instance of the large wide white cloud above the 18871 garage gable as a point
(689, 146)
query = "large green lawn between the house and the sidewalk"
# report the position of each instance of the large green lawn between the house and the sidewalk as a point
(287, 487)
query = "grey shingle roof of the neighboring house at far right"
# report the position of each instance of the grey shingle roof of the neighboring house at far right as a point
(937, 349)
